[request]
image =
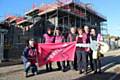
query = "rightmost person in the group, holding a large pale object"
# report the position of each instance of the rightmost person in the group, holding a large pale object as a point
(95, 39)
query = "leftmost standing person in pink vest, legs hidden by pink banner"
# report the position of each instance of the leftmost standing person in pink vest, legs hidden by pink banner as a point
(48, 38)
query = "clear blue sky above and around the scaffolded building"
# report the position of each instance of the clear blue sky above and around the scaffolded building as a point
(108, 8)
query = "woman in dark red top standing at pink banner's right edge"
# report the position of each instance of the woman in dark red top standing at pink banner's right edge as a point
(80, 51)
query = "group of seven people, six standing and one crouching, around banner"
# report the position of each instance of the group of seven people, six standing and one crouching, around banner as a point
(83, 55)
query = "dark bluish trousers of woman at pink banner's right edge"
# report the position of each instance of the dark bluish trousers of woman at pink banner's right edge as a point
(81, 60)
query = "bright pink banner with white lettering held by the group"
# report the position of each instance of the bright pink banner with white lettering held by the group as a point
(54, 52)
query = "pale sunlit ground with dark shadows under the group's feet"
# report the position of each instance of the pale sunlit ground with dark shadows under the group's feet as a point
(110, 68)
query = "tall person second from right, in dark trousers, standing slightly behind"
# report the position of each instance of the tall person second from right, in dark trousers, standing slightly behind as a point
(88, 50)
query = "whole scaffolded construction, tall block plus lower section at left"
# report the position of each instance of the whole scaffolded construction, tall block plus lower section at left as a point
(35, 22)
